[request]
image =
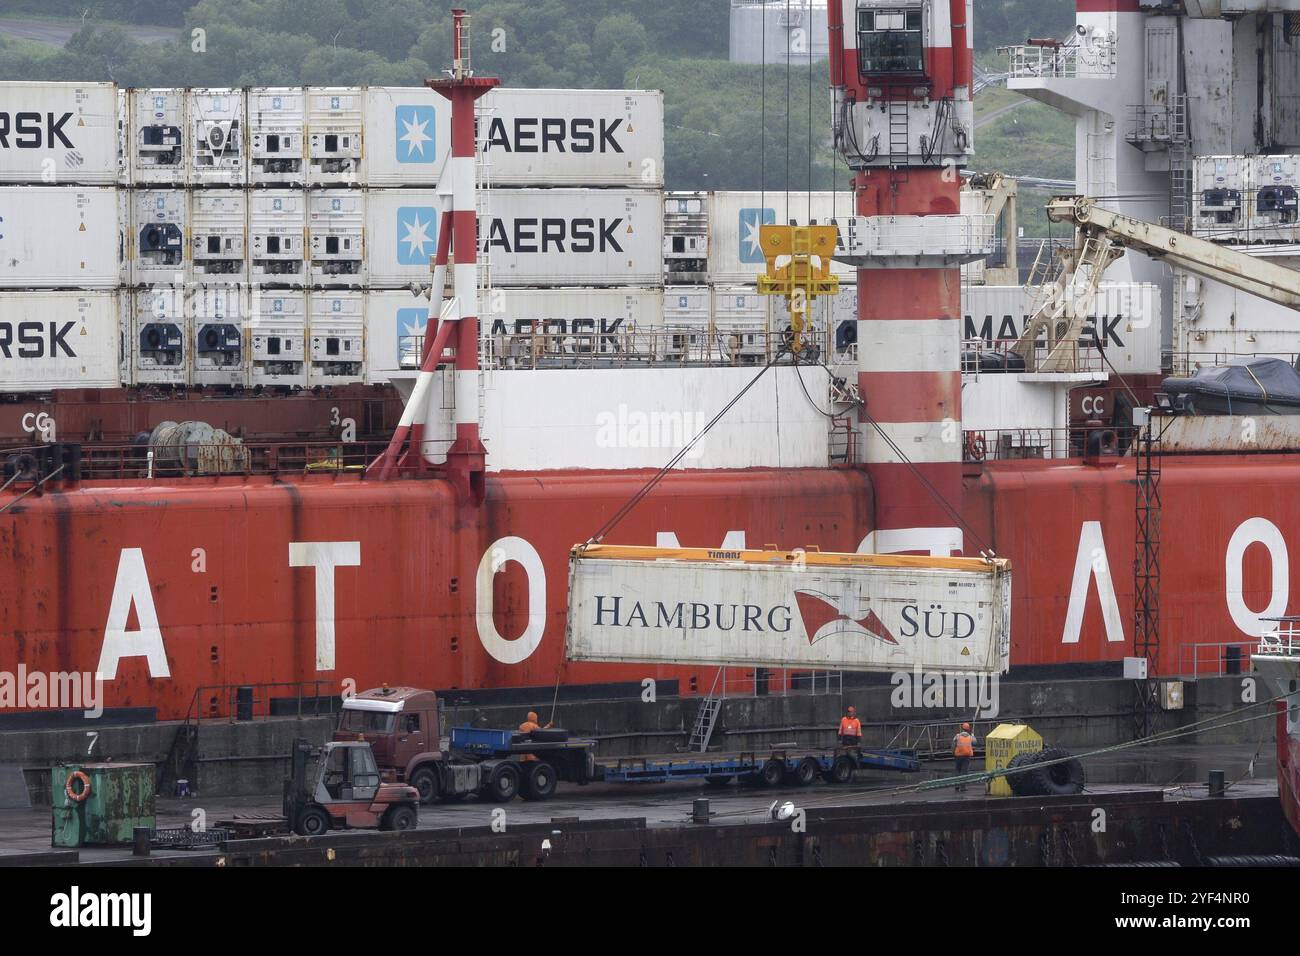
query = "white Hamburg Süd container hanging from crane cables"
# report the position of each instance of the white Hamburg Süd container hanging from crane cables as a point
(859, 613)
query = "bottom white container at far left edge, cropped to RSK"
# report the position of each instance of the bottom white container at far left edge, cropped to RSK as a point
(59, 340)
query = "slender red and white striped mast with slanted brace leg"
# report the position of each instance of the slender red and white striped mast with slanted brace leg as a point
(453, 338)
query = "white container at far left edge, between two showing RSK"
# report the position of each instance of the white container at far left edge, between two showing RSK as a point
(57, 237)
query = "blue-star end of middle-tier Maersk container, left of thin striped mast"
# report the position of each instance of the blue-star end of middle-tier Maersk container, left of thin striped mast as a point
(402, 235)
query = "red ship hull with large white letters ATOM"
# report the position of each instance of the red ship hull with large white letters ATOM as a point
(259, 581)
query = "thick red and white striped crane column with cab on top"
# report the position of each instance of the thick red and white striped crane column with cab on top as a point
(902, 76)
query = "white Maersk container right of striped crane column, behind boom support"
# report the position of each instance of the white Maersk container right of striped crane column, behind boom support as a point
(1126, 315)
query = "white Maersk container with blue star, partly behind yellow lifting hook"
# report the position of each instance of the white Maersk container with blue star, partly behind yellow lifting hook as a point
(735, 256)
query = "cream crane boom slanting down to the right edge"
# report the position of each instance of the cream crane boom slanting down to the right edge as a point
(1207, 259)
